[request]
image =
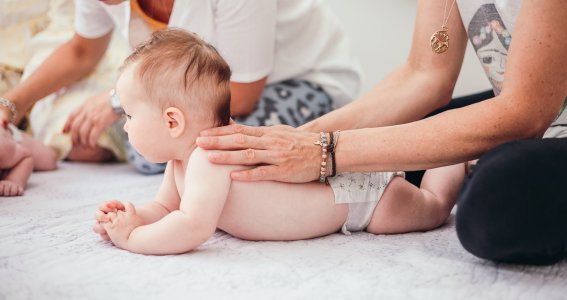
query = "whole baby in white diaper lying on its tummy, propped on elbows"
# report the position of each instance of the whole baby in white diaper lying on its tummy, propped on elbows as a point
(174, 86)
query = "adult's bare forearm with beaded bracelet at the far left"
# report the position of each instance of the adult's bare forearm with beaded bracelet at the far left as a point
(68, 63)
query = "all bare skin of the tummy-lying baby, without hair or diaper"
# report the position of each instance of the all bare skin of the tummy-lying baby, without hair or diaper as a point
(197, 197)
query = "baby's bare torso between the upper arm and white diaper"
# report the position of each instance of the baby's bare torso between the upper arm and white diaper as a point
(281, 211)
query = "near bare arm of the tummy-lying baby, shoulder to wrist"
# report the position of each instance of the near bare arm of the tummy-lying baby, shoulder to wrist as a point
(206, 190)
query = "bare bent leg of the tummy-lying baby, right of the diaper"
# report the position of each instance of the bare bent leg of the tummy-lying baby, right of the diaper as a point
(405, 208)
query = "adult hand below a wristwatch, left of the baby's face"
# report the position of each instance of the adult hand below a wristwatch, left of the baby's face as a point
(90, 120)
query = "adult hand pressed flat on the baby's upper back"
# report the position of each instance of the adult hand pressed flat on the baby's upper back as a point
(283, 153)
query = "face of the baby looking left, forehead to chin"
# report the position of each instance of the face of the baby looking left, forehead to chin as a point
(145, 124)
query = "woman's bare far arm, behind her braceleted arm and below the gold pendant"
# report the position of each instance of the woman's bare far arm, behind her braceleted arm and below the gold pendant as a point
(422, 84)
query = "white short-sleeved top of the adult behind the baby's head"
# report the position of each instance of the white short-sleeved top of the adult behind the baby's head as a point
(281, 39)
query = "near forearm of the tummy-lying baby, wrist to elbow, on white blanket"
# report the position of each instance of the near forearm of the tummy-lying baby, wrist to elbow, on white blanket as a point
(173, 234)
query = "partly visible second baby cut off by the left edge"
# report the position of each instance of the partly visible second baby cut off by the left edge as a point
(19, 156)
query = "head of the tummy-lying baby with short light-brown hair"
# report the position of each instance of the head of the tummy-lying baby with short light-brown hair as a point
(173, 85)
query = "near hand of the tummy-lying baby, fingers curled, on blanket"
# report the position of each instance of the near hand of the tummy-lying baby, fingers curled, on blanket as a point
(121, 223)
